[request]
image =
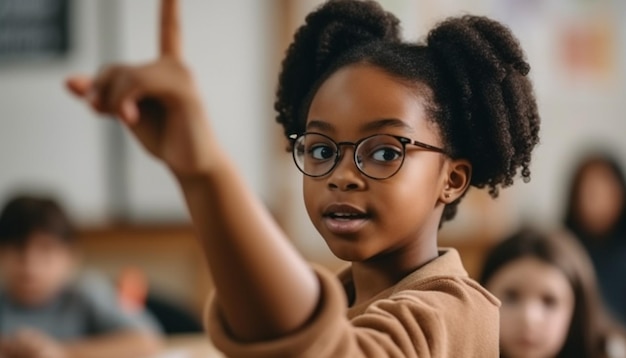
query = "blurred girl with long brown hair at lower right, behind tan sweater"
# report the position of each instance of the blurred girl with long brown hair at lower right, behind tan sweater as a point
(550, 304)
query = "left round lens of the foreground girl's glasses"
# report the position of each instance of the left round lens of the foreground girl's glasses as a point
(315, 154)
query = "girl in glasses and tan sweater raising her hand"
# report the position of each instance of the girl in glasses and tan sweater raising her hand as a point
(389, 135)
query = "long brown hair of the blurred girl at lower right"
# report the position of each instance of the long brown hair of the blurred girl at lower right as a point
(590, 328)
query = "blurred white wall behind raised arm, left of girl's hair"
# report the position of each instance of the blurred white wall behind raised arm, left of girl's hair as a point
(48, 140)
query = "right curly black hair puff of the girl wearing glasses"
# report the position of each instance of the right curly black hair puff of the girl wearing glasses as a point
(483, 64)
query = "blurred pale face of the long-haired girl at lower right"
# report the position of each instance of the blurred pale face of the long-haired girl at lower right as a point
(537, 308)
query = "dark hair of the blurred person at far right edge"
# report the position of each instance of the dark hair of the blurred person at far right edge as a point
(572, 220)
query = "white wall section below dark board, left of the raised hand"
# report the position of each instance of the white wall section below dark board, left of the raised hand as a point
(47, 140)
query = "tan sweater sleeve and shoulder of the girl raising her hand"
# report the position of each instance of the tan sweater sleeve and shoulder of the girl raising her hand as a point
(406, 325)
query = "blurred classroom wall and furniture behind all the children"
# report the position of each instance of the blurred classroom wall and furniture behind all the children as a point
(129, 209)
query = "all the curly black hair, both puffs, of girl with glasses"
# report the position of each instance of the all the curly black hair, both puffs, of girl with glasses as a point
(470, 72)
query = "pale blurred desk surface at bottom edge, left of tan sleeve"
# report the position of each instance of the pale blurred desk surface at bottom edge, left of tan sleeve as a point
(189, 346)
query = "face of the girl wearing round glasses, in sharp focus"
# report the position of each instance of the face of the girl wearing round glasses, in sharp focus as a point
(362, 218)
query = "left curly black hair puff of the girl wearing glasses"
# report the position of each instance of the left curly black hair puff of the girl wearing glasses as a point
(330, 31)
